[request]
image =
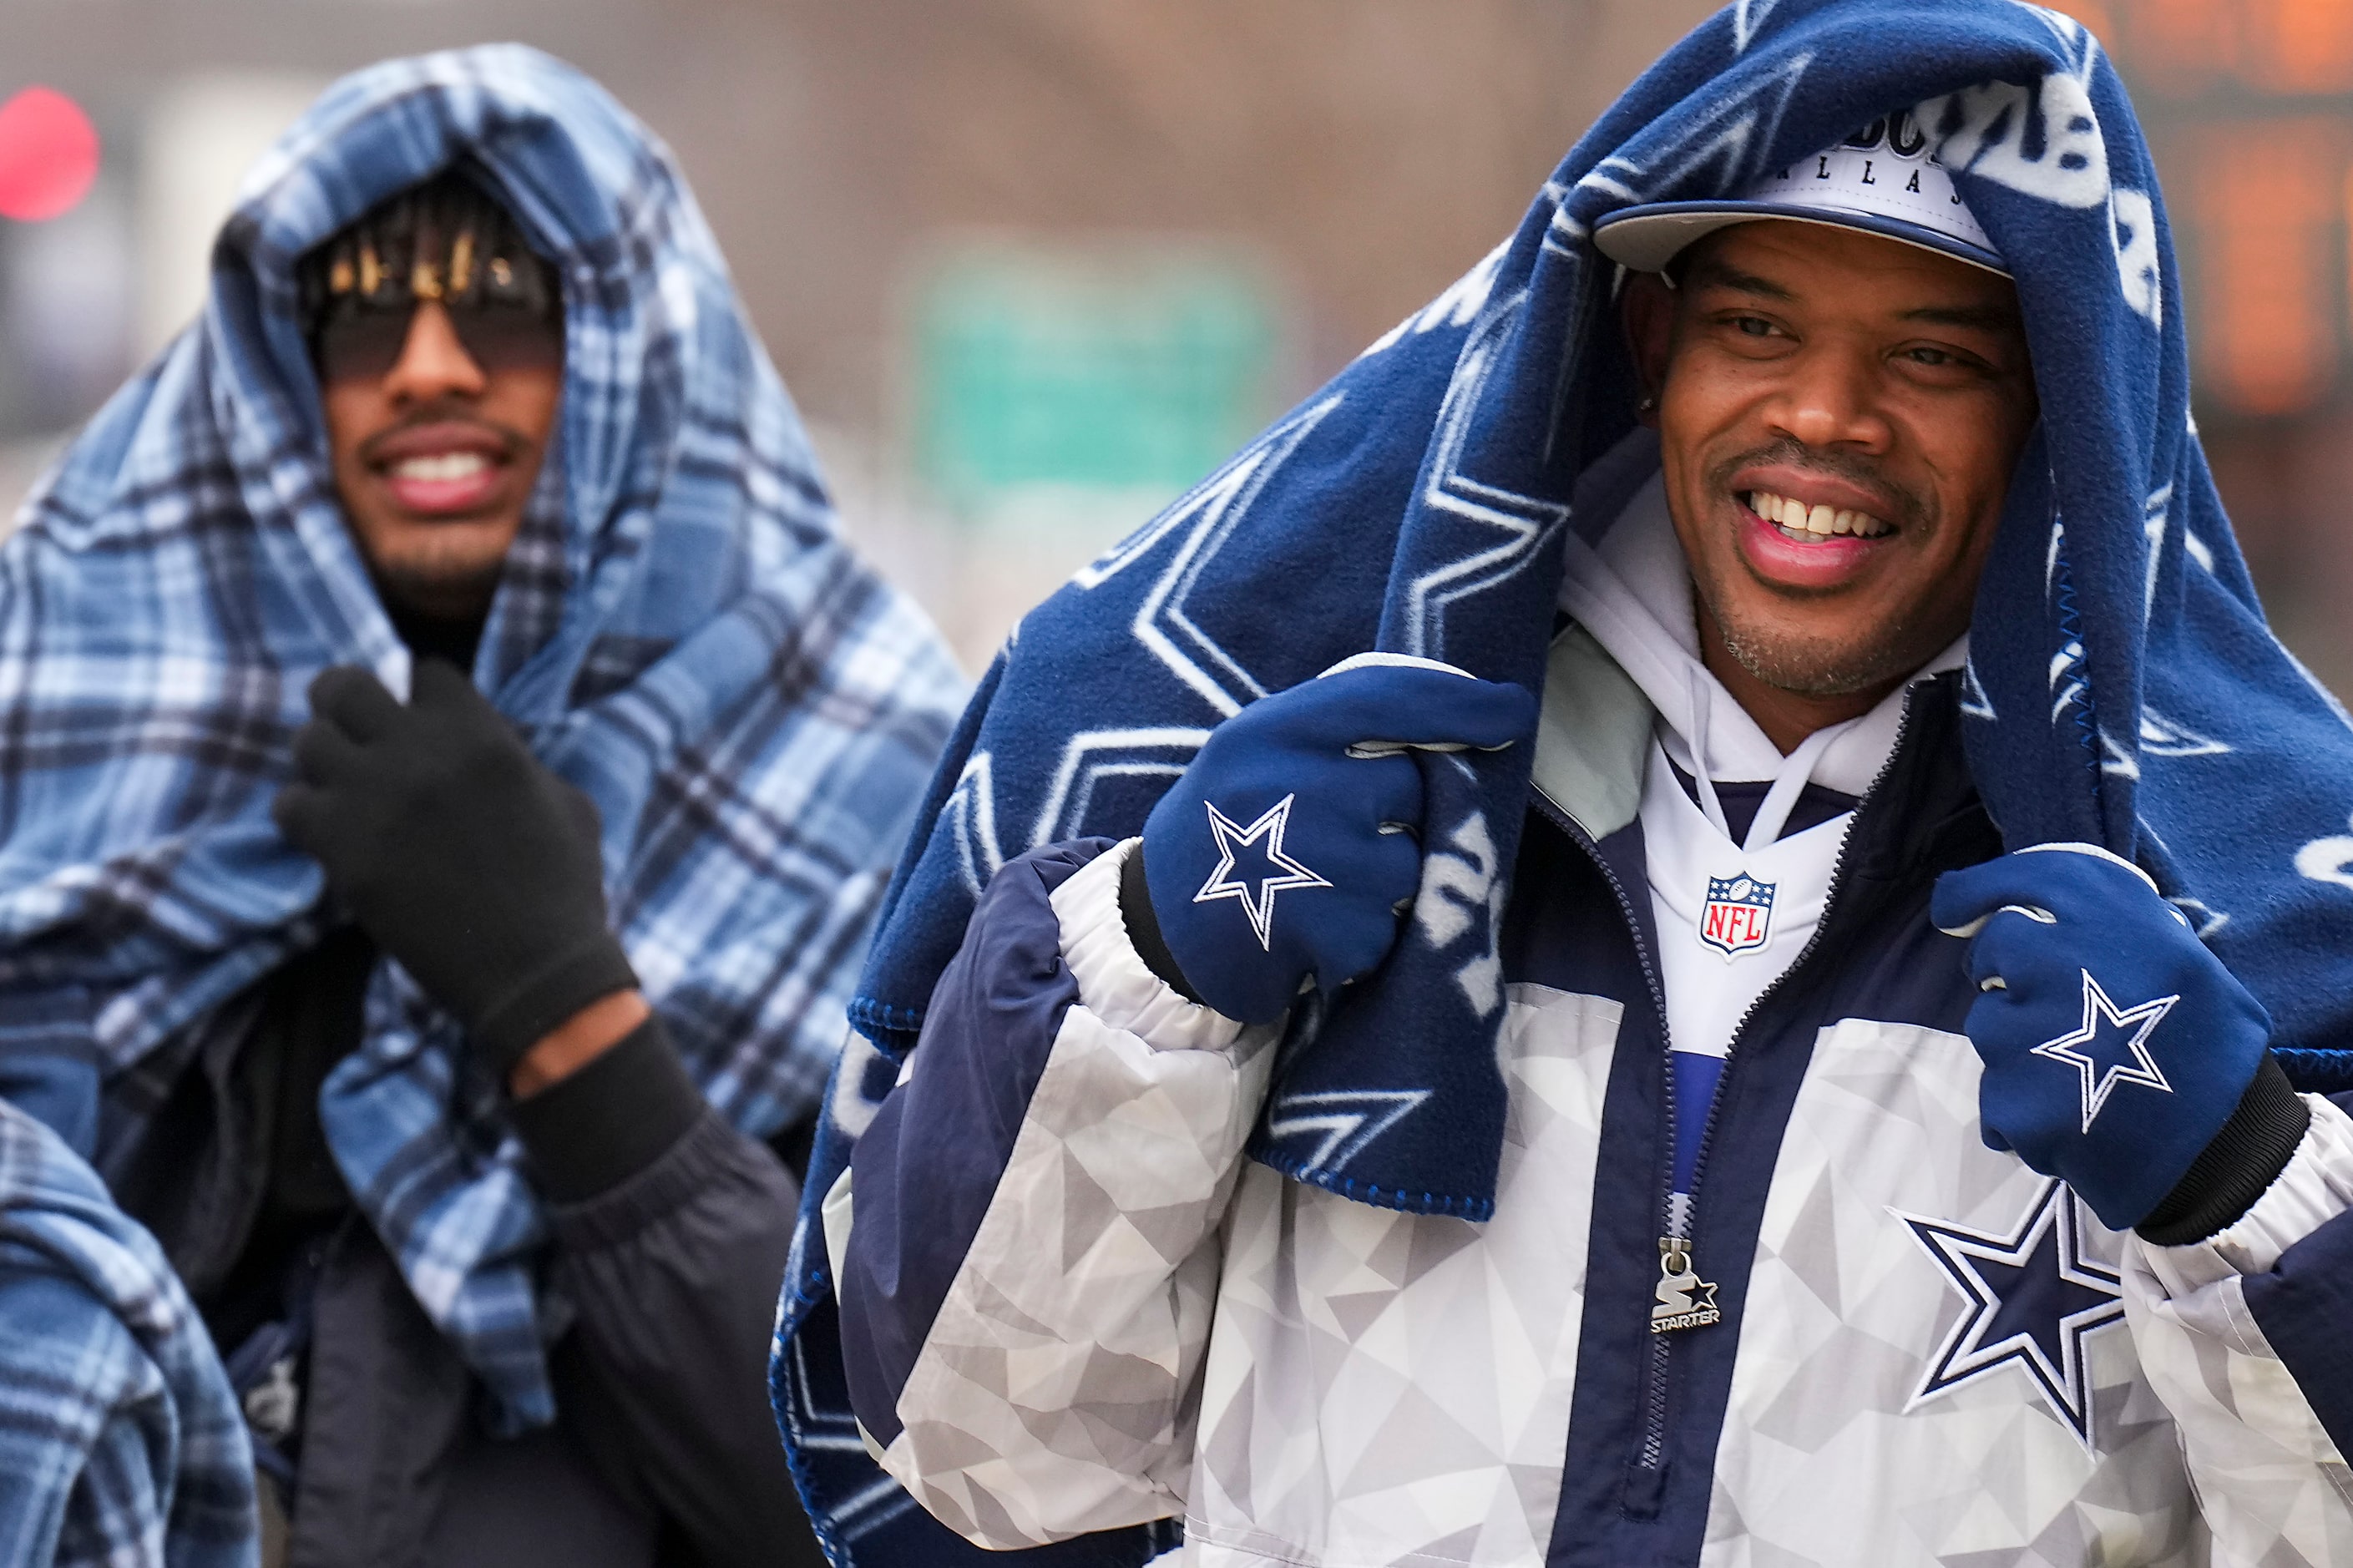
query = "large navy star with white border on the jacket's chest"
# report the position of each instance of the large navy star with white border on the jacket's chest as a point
(2032, 1298)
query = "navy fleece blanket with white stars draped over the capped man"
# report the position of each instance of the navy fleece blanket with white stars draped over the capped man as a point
(2124, 684)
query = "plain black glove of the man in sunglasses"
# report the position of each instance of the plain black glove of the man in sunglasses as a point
(458, 851)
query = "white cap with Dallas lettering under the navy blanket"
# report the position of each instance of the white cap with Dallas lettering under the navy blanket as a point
(1881, 180)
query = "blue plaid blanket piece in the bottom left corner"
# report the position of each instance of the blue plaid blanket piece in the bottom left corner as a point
(121, 1444)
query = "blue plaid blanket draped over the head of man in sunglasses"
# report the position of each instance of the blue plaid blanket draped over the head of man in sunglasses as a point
(679, 632)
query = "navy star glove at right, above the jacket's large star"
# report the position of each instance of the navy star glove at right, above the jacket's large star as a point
(2117, 1047)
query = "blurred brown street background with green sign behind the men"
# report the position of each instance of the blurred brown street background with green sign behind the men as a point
(1032, 267)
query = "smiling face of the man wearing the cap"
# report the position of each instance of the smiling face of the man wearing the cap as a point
(1841, 416)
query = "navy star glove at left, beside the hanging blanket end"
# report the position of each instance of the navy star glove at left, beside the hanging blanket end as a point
(1288, 846)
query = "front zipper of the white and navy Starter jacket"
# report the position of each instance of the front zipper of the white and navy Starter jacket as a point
(1677, 1249)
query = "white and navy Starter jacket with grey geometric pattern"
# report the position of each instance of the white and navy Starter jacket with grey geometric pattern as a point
(1072, 1303)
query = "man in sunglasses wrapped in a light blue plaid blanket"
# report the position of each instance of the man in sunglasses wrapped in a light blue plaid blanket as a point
(484, 759)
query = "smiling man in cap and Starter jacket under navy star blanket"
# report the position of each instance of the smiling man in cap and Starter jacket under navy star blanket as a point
(1648, 1122)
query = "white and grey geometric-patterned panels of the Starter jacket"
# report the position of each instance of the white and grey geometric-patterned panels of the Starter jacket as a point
(1385, 1388)
